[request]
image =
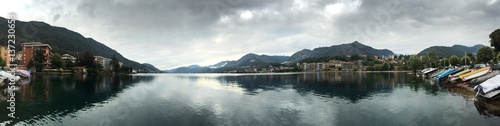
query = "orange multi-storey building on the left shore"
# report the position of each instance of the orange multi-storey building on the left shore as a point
(28, 52)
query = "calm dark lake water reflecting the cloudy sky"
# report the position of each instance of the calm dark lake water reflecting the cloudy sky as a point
(330, 98)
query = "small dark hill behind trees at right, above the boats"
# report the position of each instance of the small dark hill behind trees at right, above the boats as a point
(447, 51)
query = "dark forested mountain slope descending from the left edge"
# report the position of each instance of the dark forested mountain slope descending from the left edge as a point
(64, 41)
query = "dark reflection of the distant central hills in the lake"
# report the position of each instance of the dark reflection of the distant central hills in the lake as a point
(349, 85)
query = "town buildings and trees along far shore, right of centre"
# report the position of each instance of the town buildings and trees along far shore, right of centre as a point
(360, 62)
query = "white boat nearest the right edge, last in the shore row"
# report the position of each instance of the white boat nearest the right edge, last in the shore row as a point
(489, 89)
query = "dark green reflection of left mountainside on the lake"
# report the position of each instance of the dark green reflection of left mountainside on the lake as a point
(63, 95)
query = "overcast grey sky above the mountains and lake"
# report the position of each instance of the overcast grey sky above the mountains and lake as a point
(173, 33)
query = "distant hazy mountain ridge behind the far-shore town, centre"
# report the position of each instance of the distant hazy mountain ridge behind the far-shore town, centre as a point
(260, 61)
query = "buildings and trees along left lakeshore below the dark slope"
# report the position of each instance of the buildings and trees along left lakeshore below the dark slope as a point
(37, 57)
